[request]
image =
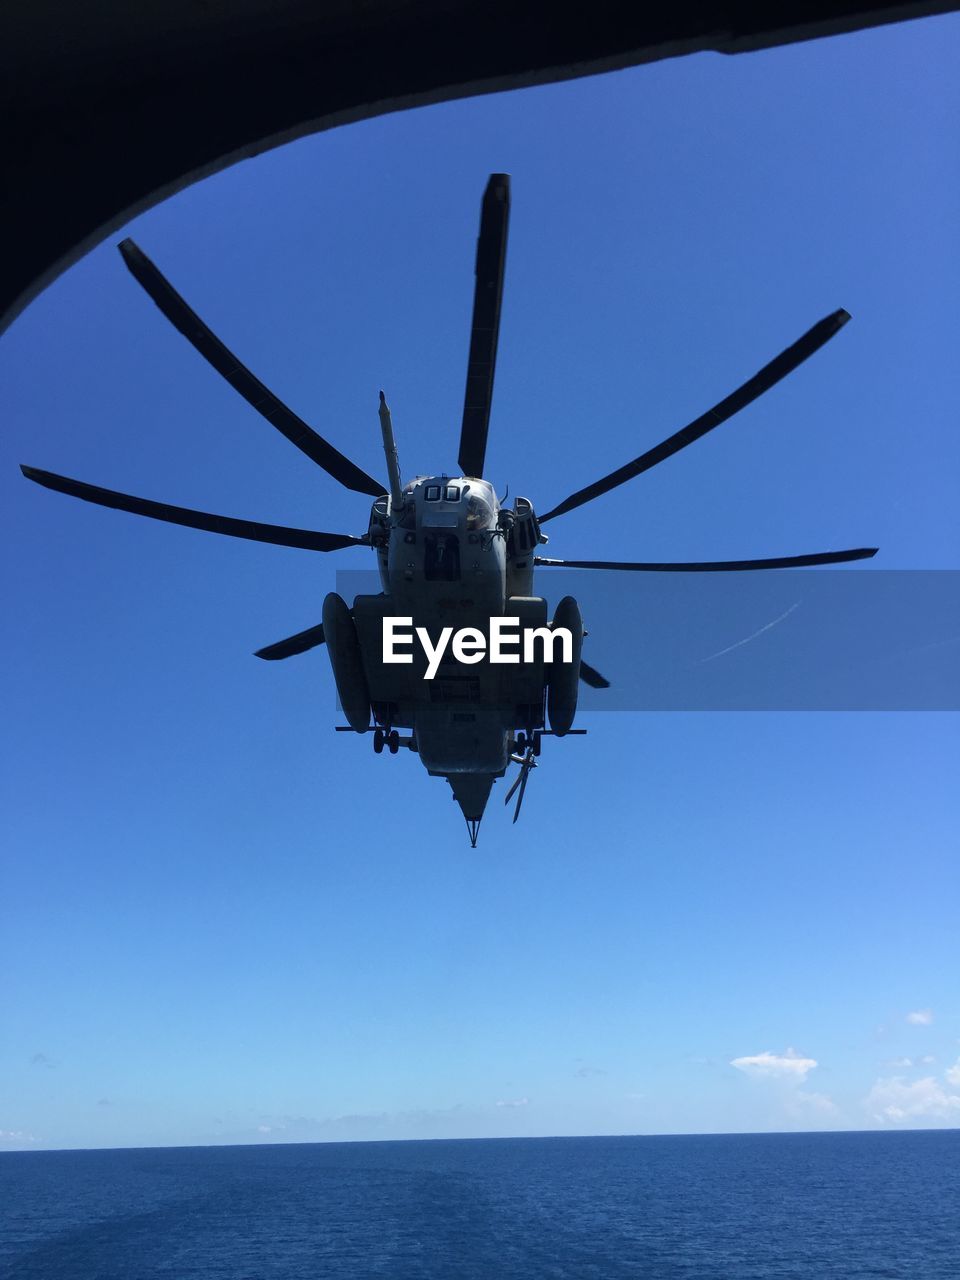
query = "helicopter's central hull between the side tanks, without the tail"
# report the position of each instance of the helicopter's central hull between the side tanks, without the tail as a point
(450, 557)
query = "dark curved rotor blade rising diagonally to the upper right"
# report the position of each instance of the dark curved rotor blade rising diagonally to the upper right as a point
(769, 377)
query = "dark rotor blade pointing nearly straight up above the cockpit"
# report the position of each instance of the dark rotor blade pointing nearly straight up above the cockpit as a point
(488, 291)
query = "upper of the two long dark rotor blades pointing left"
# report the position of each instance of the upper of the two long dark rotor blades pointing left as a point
(253, 391)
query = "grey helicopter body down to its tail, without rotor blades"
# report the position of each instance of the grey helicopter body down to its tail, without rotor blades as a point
(450, 559)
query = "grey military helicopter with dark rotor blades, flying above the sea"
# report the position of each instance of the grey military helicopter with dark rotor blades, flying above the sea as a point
(447, 551)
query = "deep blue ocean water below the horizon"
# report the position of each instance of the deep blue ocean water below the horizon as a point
(746, 1208)
